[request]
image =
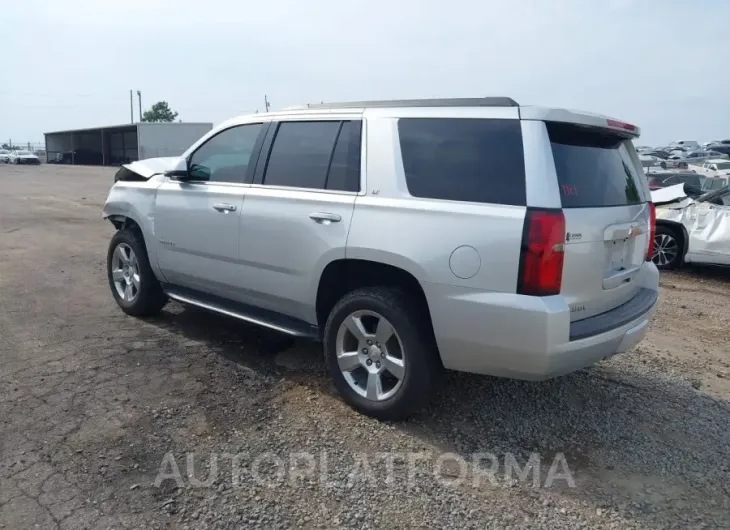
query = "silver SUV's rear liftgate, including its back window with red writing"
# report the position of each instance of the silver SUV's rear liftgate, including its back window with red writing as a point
(604, 201)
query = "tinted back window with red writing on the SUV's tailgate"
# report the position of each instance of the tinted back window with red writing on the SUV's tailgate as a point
(594, 168)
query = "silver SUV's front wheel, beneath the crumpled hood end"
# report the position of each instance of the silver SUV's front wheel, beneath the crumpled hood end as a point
(134, 286)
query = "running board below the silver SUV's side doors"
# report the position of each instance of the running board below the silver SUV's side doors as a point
(253, 315)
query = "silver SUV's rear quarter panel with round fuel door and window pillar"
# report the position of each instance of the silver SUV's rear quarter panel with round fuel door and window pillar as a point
(427, 237)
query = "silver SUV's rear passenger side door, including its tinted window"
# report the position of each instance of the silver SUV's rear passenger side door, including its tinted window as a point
(297, 214)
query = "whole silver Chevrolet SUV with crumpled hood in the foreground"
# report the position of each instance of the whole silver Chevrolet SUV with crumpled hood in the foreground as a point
(407, 236)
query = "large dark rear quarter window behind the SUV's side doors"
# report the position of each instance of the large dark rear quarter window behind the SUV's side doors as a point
(463, 159)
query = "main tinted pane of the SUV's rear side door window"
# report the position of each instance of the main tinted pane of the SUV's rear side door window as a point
(301, 154)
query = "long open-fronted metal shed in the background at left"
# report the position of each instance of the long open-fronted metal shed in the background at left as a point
(121, 144)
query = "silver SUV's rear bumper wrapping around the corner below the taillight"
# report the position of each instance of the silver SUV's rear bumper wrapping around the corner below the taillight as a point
(532, 338)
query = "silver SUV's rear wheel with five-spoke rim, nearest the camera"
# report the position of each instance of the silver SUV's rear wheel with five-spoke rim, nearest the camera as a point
(381, 353)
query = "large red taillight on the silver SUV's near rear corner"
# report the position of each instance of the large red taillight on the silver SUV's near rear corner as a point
(541, 258)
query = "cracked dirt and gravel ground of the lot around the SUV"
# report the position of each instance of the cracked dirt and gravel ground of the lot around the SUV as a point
(91, 401)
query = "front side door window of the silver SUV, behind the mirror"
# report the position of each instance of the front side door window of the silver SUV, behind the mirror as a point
(225, 157)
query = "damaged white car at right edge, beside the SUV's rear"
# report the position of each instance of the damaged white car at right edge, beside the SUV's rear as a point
(691, 229)
